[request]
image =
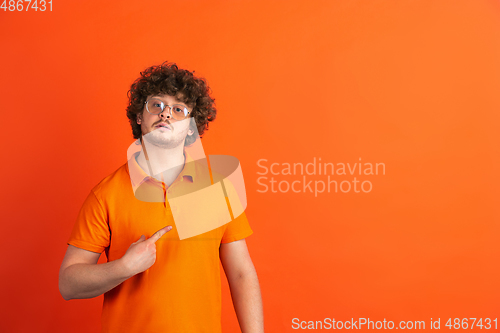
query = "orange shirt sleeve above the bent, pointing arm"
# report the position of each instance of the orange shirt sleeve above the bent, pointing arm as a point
(91, 229)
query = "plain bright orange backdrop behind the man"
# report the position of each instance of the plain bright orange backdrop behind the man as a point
(412, 84)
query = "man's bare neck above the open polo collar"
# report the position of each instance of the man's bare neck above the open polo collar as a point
(167, 161)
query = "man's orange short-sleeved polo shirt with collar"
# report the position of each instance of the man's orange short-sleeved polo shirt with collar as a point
(181, 292)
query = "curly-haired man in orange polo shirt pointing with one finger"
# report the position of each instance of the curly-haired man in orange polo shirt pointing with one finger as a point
(154, 281)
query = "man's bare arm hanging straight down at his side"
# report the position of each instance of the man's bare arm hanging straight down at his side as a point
(244, 285)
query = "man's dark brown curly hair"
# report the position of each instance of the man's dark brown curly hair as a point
(168, 79)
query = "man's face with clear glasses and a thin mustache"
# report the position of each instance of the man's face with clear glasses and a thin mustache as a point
(162, 130)
